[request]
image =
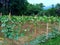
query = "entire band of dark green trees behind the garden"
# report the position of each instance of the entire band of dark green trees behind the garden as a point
(23, 7)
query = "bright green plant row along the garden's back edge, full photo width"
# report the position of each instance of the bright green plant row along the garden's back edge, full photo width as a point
(31, 18)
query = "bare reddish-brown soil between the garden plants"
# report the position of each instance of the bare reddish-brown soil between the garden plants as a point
(31, 34)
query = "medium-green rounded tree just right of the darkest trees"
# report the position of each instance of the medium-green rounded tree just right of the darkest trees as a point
(34, 9)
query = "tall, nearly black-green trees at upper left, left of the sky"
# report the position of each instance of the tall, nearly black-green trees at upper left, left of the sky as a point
(16, 7)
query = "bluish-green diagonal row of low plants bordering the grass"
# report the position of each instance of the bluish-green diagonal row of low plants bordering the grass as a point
(40, 40)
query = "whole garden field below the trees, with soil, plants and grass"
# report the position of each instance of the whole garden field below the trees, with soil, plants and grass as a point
(29, 30)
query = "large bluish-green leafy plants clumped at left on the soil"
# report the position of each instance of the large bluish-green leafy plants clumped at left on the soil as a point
(8, 28)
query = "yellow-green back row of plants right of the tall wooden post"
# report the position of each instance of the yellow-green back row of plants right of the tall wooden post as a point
(37, 18)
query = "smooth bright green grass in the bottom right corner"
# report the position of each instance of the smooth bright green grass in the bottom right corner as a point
(55, 41)
